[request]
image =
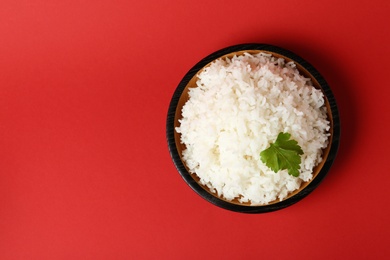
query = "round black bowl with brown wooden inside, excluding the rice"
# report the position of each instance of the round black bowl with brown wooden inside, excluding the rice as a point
(180, 97)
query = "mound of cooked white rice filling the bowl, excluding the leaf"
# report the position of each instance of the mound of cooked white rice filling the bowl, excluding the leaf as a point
(238, 108)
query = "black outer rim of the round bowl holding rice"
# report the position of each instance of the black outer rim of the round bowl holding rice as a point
(170, 129)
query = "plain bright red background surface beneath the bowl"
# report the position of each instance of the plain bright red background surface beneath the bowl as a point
(85, 171)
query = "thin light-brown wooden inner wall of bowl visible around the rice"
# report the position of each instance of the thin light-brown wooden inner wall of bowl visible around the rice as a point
(192, 84)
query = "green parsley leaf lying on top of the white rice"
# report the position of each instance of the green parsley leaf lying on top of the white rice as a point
(283, 154)
